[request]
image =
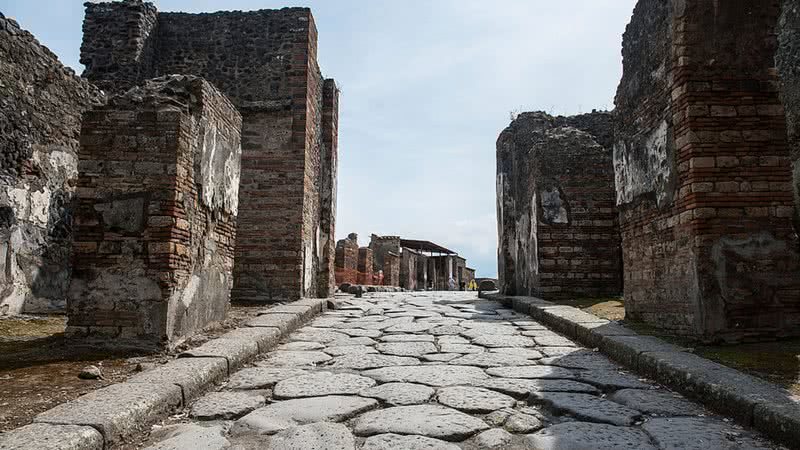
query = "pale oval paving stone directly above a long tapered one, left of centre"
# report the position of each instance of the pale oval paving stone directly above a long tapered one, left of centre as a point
(320, 384)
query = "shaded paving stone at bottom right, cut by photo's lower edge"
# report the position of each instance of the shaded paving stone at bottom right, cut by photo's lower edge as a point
(698, 433)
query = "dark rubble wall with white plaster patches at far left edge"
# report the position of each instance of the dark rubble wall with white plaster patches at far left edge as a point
(41, 102)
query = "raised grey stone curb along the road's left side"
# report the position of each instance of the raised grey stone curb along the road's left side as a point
(111, 415)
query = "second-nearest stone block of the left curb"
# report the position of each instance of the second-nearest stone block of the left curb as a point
(117, 411)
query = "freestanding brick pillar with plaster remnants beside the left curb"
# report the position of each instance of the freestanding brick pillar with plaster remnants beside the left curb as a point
(156, 214)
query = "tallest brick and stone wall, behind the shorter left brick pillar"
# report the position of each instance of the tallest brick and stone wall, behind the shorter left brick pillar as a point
(266, 63)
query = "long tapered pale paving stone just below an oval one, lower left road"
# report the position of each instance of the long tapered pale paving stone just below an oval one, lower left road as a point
(290, 413)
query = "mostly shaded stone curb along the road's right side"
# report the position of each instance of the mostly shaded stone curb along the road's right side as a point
(753, 402)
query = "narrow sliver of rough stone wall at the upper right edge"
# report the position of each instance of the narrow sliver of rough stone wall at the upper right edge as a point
(788, 63)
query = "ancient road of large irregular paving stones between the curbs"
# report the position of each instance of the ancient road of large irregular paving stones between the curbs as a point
(442, 371)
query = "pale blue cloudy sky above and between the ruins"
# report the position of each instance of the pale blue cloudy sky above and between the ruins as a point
(427, 86)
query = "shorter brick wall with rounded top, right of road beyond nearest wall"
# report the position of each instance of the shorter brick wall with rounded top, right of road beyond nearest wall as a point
(559, 234)
